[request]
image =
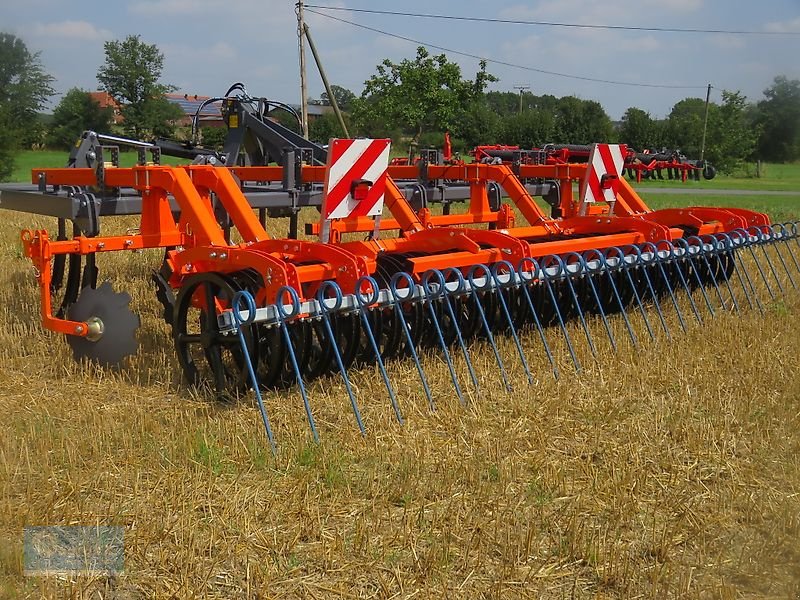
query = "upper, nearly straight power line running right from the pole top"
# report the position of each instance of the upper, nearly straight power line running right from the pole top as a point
(552, 23)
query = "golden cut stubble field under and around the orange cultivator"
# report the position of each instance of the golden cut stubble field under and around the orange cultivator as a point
(667, 470)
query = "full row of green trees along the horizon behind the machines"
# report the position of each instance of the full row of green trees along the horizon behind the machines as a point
(413, 100)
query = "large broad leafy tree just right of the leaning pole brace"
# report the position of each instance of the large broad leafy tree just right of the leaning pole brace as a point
(427, 93)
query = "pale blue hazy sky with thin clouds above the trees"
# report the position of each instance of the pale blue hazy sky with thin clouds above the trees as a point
(209, 44)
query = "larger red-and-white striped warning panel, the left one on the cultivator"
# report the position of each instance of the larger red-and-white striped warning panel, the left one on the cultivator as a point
(355, 178)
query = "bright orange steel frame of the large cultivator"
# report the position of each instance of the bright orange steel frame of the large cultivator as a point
(444, 240)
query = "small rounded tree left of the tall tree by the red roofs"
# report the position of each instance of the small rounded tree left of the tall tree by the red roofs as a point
(77, 112)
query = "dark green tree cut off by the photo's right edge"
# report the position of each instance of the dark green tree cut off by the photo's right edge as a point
(779, 117)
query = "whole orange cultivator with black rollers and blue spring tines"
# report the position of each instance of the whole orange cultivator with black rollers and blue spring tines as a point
(375, 279)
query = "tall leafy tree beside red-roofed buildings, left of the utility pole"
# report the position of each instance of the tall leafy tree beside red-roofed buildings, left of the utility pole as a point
(131, 76)
